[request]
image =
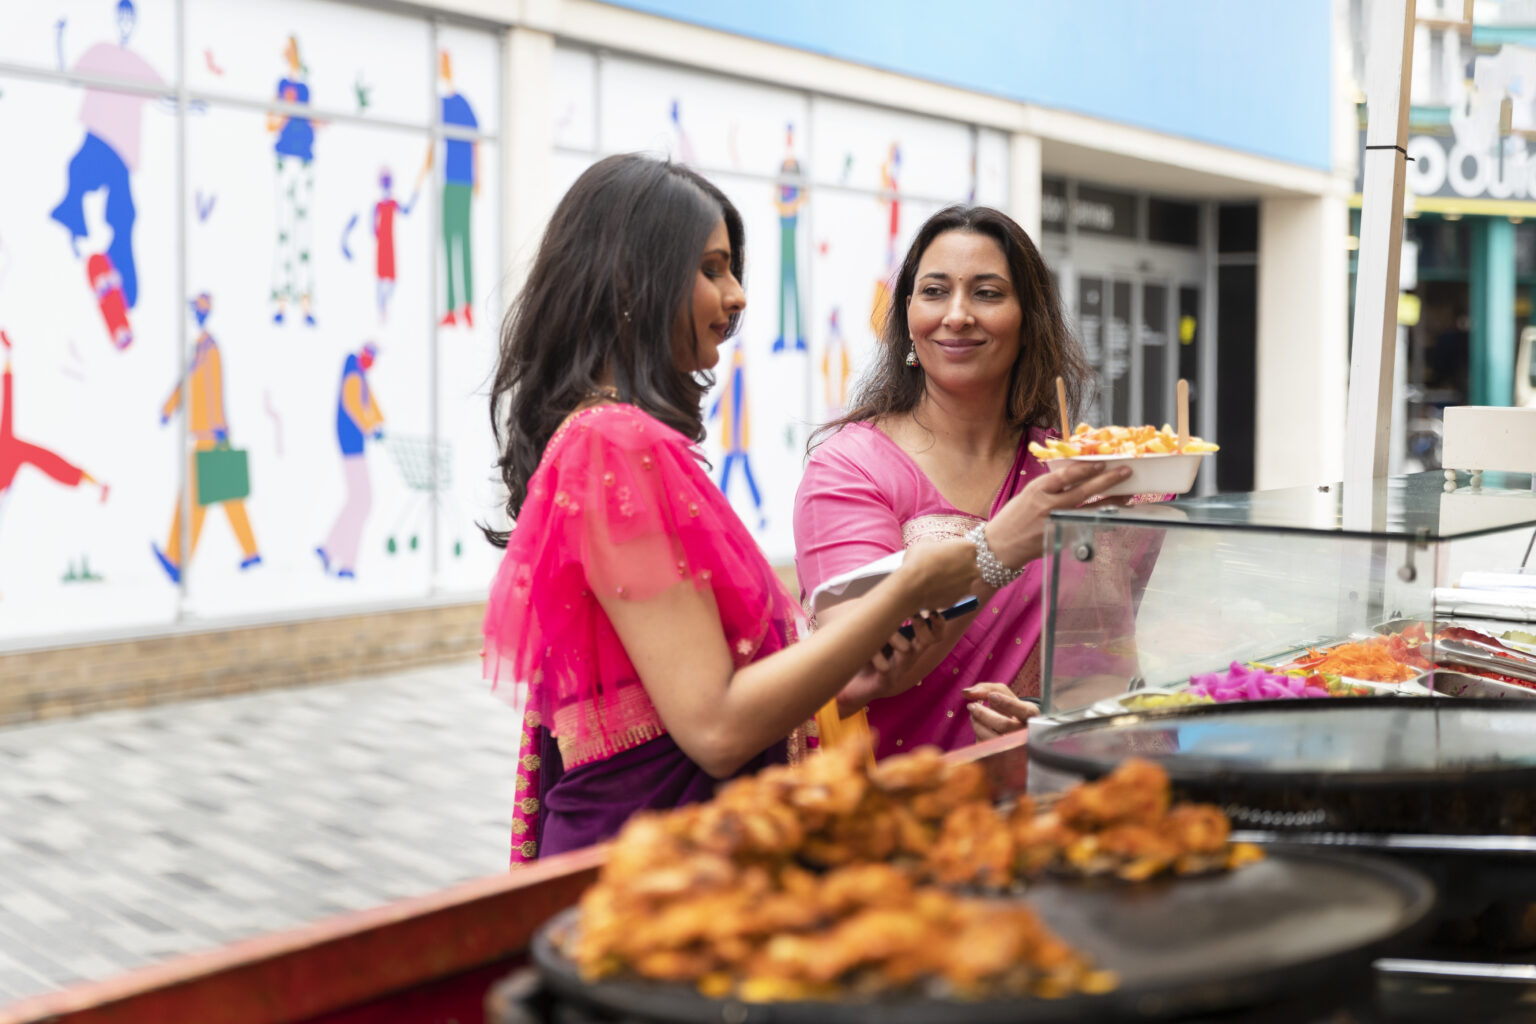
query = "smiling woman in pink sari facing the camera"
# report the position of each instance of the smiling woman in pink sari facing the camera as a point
(936, 448)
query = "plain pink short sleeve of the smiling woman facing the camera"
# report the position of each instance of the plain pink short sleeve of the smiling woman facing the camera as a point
(842, 520)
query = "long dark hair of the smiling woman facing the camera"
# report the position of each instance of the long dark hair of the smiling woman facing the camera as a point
(1047, 345)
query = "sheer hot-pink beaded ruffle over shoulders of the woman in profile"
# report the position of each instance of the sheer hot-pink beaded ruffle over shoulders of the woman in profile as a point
(620, 509)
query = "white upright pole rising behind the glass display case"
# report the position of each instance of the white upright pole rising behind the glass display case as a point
(1368, 434)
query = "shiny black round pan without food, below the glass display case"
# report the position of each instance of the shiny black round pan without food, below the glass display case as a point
(1365, 764)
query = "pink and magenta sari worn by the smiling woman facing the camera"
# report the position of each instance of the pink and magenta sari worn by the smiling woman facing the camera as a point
(864, 498)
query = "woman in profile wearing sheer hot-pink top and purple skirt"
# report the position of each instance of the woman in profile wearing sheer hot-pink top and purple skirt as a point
(652, 639)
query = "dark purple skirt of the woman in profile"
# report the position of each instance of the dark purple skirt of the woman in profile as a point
(591, 804)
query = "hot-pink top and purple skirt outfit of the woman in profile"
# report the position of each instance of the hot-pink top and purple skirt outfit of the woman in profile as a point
(620, 506)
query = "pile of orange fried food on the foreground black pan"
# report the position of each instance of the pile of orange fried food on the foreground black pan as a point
(836, 880)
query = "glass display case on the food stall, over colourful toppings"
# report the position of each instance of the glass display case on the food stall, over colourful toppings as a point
(1142, 598)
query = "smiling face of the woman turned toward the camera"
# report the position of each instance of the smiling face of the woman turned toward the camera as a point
(965, 314)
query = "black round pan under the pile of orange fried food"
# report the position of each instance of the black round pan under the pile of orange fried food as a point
(1297, 922)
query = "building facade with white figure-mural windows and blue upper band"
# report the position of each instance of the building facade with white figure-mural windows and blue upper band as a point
(253, 257)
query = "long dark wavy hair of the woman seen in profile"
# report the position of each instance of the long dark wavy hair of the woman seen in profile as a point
(609, 292)
